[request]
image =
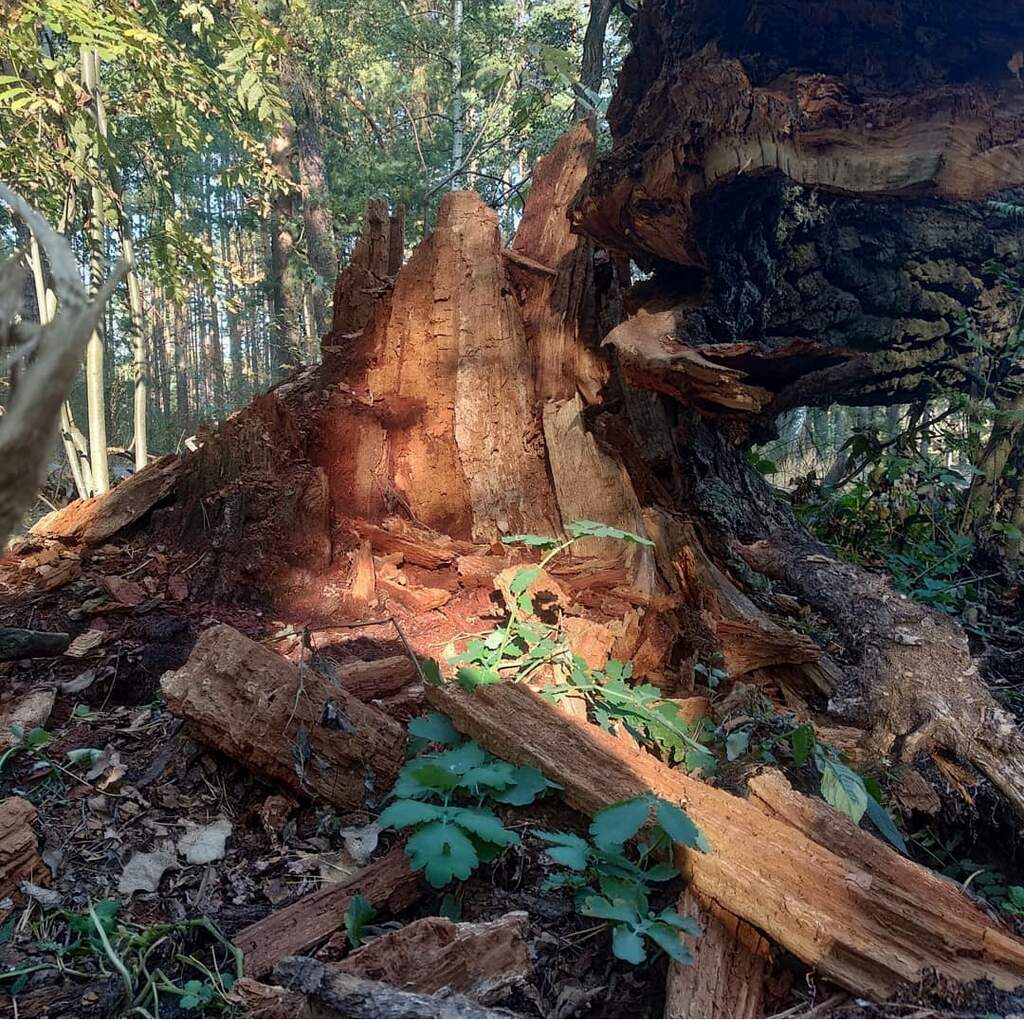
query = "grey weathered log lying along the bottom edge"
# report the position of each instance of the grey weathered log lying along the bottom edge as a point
(346, 996)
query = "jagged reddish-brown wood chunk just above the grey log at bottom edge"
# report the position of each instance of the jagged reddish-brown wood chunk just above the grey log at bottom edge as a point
(486, 961)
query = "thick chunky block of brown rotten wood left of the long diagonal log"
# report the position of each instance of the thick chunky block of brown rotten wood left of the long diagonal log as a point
(284, 722)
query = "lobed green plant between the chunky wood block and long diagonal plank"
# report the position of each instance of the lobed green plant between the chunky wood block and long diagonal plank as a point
(447, 798)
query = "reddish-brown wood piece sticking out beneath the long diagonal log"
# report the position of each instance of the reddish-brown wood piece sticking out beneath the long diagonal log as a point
(731, 963)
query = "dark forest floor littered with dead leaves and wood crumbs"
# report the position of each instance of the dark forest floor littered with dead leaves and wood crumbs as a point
(121, 788)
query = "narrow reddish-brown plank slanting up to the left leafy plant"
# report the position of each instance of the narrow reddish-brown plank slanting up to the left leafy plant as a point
(388, 884)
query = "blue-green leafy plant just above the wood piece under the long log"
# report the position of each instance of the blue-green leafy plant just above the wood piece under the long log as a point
(614, 884)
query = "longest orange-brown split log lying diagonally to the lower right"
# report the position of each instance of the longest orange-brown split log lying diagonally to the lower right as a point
(872, 931)
